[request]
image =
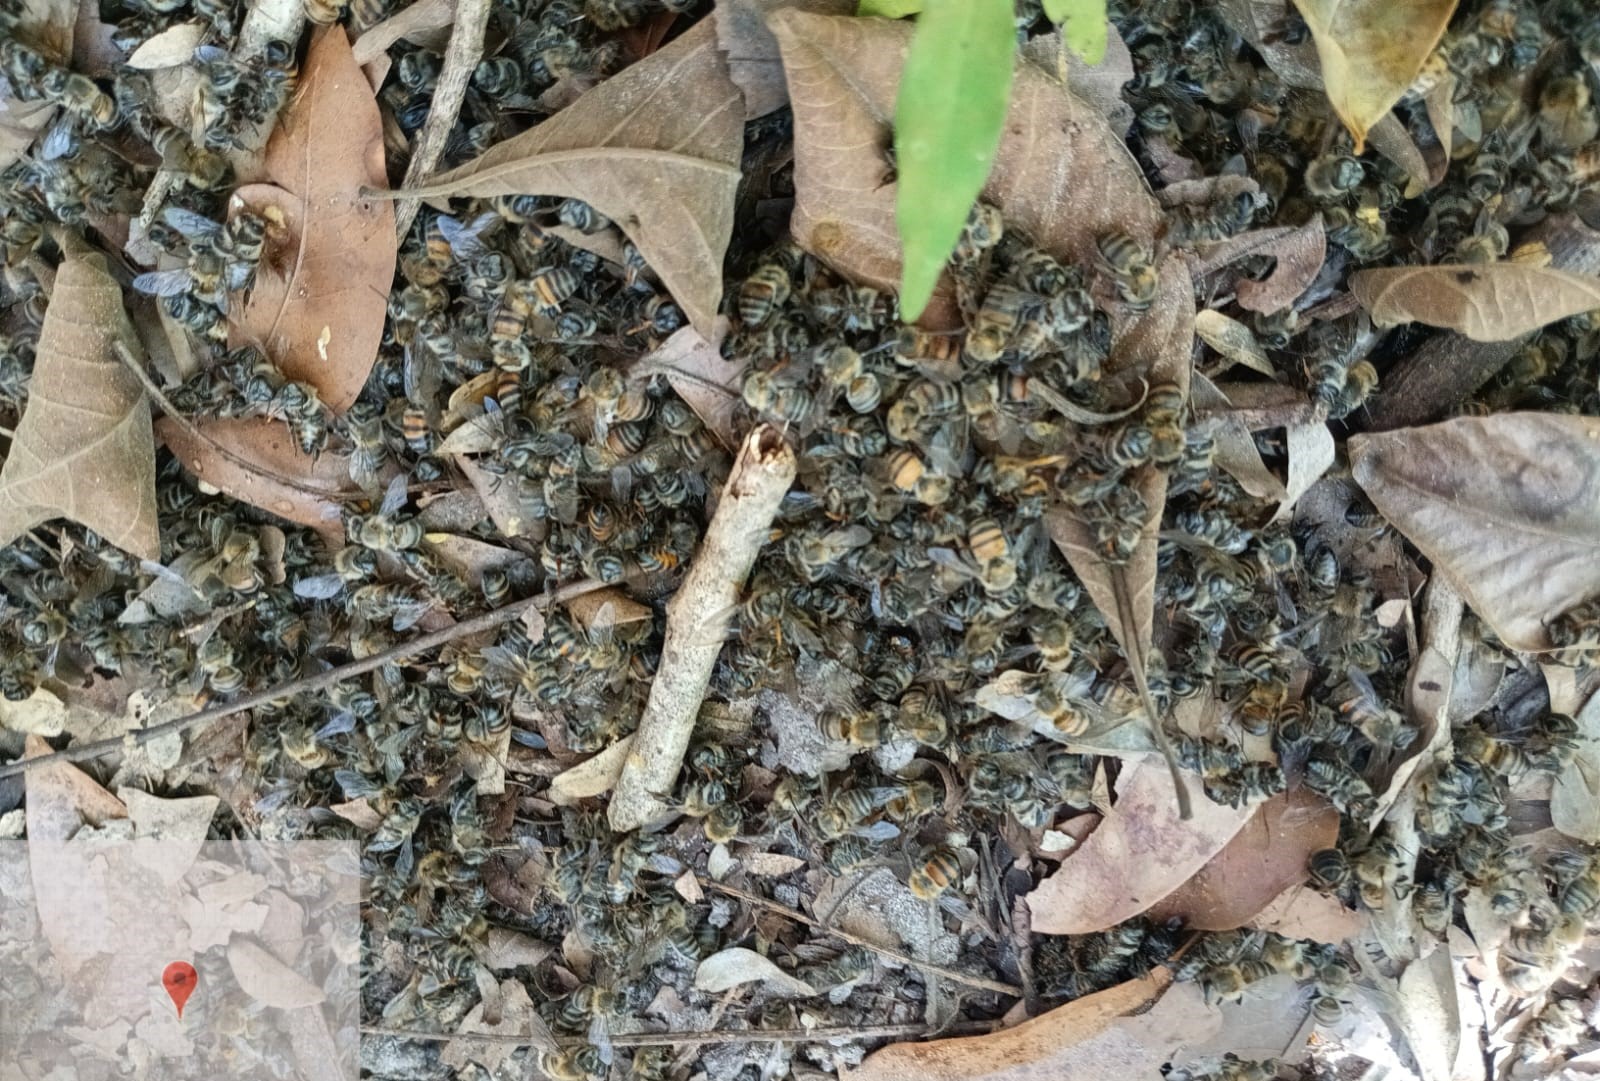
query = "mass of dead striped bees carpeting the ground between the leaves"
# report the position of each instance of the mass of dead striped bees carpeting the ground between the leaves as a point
(911, 562)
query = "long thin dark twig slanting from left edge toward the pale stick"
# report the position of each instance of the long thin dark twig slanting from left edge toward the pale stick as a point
(310, 684)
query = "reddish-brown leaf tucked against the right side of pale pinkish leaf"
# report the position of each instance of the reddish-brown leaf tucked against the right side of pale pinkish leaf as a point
(1252, 871)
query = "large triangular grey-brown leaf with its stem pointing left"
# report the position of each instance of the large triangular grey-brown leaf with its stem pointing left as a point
(655, 150)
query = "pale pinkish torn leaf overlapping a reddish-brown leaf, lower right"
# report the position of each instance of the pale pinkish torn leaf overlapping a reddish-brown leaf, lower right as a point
(1140, 855)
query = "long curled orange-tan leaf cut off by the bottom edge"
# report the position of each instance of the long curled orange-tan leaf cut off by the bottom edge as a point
(1122, 1032)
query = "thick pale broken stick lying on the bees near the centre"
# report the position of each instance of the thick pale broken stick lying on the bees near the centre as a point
(697, 624)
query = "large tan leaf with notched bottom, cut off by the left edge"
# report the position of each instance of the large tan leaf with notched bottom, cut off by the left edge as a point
(84, 447)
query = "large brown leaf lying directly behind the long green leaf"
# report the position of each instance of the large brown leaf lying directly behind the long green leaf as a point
(1062, 174)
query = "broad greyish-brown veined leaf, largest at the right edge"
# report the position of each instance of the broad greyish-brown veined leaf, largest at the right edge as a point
(1508, 508)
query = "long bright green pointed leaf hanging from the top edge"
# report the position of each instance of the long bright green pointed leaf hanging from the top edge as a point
(950, 113)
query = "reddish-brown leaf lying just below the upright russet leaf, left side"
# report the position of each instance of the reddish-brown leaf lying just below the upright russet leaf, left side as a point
(257, 461)
